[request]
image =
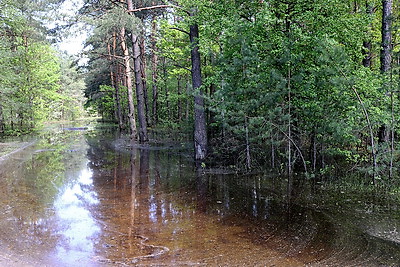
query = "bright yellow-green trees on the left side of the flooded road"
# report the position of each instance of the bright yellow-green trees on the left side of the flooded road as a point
(37, 83)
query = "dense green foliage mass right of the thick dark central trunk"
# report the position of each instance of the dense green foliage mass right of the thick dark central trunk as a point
(269, 54)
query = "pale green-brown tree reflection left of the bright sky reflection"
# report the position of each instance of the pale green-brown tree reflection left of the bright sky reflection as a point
(31, 181)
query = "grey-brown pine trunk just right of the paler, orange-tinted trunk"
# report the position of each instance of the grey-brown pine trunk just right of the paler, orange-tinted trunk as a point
(137, 68)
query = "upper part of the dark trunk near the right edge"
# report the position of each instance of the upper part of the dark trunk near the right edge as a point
(386, 56)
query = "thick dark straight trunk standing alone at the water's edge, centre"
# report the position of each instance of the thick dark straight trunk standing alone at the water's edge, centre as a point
(200, 132)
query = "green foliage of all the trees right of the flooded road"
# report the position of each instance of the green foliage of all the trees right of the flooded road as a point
(284, 80)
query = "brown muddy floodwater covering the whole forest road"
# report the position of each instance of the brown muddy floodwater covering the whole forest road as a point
(80, 197)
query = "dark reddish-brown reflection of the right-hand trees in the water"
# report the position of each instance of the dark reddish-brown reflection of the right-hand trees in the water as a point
(151, 197)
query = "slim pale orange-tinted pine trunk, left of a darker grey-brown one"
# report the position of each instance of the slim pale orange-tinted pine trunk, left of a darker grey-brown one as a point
(128, 80)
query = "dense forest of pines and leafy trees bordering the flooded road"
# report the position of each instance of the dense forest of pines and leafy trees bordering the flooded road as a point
(295, 86)
